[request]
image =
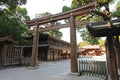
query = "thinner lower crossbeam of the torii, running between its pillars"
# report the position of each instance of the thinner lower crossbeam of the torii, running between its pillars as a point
(77, 23)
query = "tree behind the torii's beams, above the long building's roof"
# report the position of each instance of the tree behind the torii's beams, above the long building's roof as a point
(55, 33)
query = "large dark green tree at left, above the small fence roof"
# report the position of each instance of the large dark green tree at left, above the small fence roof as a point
(12, 19)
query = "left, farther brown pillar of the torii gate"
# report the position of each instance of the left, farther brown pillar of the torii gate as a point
(35, 47)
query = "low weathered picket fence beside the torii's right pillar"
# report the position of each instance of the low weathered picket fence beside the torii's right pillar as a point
(93, 68)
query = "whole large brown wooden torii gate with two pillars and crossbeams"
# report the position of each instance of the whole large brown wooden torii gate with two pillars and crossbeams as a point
(61, 16)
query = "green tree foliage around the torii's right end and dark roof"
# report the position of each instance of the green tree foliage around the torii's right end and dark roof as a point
(97, 14)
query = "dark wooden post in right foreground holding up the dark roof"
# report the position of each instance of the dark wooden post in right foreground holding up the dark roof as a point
(112, 64)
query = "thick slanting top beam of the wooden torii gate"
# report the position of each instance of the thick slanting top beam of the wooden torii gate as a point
(75, 12)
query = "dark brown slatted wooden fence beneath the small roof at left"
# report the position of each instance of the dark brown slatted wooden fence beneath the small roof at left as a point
(11, 55)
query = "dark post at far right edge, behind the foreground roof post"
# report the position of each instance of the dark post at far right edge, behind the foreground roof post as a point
(117, 47)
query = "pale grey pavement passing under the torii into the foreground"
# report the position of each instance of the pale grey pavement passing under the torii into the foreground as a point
(54, 70)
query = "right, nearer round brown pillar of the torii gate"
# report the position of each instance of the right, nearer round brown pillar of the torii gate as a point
(73, 45)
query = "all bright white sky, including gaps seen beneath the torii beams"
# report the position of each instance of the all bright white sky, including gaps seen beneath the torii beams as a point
(53, 6)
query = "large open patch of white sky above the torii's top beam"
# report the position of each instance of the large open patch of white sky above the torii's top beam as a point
(41, 6)
